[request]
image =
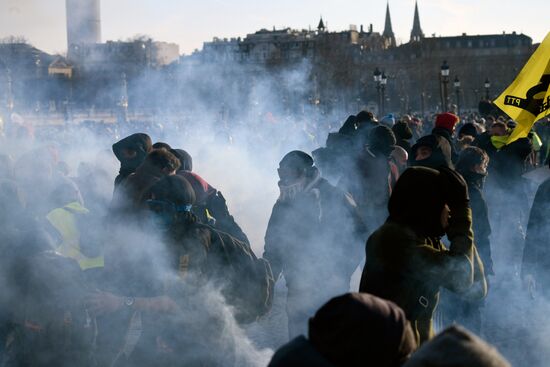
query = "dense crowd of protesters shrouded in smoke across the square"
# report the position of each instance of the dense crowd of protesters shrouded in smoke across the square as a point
(435, 213)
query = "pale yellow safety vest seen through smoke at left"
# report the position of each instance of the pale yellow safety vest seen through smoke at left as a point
(64, 221)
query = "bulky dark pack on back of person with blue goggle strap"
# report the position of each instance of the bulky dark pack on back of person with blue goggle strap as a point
(207, 255)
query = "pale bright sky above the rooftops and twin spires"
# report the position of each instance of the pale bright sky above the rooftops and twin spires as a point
(191, 22)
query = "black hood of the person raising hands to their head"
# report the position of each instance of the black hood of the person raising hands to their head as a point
(417, 201)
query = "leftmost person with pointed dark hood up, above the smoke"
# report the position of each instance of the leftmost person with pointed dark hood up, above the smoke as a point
(131, 152)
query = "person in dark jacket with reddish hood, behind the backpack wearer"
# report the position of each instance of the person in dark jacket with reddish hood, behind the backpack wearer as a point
(210, 206)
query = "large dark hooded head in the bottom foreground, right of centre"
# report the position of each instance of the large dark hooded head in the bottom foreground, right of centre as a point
(359, 329)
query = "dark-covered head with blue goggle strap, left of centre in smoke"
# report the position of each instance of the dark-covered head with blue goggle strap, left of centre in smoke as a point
(172, 199)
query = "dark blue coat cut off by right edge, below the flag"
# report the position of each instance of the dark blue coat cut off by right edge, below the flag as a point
(536, 253)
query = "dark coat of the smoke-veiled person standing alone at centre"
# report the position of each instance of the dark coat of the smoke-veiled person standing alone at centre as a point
(315, 238)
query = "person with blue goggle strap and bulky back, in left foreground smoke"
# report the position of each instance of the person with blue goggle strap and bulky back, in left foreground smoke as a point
(168, 290)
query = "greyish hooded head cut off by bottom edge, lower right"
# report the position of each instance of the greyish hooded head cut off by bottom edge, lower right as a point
(457, 347)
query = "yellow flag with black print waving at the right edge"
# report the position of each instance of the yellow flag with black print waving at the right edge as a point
(527, 99)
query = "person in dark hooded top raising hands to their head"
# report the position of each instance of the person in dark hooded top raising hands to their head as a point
(406, 261)
